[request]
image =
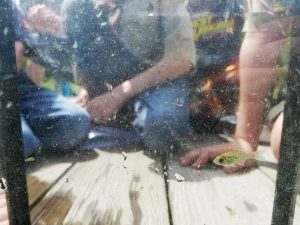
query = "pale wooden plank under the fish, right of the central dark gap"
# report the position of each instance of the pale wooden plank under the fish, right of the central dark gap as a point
(209, 196)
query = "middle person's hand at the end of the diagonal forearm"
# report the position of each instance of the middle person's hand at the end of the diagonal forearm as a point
(103, 107)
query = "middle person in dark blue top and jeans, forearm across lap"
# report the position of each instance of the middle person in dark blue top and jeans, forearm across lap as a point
(135, 56)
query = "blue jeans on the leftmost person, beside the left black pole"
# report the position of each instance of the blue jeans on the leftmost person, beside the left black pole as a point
(49, 120)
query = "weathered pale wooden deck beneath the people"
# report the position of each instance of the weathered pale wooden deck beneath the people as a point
(100, 187)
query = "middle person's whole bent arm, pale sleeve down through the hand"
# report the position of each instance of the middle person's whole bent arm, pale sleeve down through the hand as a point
(178, 61)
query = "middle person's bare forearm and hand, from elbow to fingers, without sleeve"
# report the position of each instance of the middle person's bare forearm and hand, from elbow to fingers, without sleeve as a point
(103, 107)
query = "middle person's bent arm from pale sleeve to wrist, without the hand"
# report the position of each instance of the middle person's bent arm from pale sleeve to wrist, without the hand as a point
(179, 55)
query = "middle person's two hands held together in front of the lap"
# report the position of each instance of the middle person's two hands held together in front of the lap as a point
(101, 108)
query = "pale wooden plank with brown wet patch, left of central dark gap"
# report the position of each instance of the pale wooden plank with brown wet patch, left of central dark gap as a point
(107, 190)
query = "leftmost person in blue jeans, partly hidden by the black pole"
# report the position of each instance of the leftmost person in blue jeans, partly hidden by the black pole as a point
(48, 120)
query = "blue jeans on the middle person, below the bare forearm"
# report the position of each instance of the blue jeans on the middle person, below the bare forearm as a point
(163, 115)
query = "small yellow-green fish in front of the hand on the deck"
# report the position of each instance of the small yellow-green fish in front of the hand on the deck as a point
(233, 158)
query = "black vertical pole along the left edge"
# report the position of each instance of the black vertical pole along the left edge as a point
(11, 147)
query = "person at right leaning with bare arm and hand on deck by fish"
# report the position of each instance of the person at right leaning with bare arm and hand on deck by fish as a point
(267, 29)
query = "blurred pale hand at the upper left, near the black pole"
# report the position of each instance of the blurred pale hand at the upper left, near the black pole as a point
(44, 20)
